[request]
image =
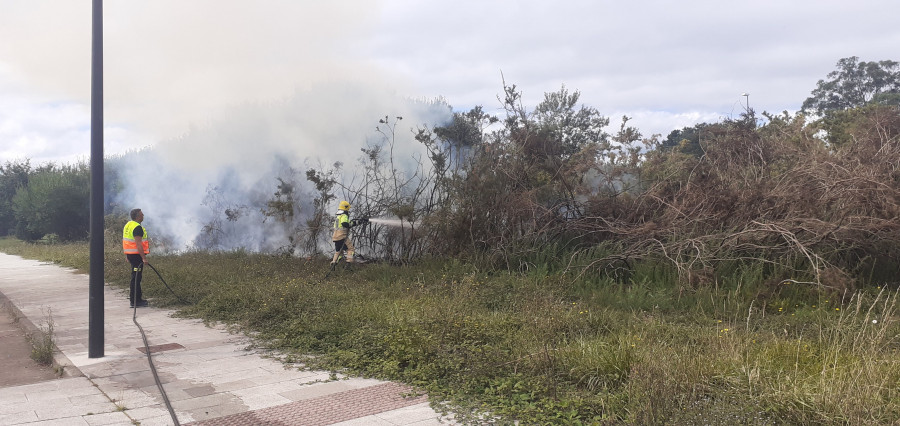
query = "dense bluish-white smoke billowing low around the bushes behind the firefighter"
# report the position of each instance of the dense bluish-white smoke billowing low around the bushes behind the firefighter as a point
(235, 162)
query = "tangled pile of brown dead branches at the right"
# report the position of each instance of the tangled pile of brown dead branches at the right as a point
(776, 194)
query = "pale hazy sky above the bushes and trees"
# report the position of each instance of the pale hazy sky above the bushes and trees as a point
(172, 66)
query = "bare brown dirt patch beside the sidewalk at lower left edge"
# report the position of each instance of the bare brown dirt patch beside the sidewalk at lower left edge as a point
(16, 366)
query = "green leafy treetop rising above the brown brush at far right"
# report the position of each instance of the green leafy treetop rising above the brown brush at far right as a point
(854, 84)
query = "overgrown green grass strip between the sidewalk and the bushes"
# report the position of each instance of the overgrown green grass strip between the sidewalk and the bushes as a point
(547, 348)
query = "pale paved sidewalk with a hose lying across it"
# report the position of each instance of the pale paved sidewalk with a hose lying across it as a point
(209, 375)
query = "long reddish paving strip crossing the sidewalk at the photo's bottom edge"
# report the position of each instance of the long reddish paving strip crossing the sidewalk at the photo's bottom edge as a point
(324, 410)
